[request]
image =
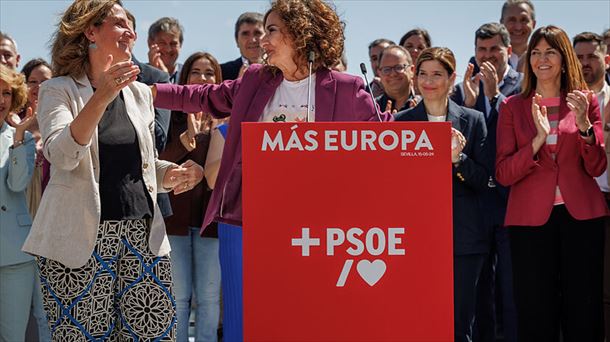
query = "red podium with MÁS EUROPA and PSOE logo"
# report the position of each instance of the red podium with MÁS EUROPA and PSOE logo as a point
(347, 232)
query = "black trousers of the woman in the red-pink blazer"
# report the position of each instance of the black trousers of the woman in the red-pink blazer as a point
(557, 273)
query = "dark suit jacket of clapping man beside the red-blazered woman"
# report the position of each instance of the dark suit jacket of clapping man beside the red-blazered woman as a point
(495, 198)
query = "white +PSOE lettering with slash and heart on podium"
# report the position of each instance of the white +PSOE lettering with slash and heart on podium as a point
(375, 242)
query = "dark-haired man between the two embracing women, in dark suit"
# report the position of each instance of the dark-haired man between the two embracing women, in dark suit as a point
(248, 32)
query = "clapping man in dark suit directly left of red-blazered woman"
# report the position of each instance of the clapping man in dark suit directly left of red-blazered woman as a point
(484, 92)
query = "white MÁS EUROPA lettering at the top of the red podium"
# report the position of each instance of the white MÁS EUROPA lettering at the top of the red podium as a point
(346, 140)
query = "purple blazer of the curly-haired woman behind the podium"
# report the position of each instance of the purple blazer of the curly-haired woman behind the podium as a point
(339, 97)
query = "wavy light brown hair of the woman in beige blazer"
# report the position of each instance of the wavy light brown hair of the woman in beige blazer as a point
(70, 46)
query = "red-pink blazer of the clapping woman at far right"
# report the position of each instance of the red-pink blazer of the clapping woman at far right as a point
(533, 178)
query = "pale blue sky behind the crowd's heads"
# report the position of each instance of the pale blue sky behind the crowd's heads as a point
(209, 24)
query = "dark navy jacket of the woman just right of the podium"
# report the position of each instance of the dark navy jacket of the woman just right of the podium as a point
(469, 177)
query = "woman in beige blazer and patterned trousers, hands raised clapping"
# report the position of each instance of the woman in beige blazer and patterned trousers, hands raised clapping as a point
(98, 234)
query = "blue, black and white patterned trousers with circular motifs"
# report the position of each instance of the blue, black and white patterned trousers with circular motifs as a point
(123, 293)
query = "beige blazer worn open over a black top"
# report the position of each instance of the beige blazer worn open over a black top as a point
(65, 226)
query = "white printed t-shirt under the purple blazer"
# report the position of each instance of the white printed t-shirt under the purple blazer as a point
(289, 103)
